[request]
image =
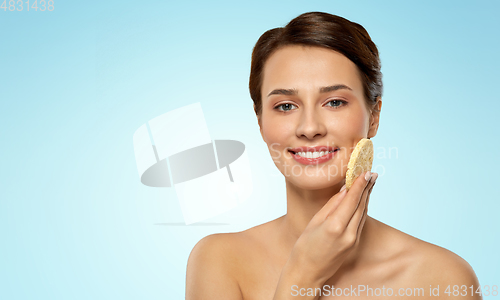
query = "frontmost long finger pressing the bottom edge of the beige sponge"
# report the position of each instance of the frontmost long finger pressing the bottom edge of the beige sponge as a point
(346, 209)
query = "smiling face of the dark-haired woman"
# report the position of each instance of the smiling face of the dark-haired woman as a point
(313, 96)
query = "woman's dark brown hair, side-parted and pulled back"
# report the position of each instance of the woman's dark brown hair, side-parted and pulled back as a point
(322, 30)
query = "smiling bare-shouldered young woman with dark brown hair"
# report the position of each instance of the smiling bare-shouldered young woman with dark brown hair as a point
(317, 86)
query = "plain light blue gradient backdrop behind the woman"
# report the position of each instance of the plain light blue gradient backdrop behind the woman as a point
(75, 83)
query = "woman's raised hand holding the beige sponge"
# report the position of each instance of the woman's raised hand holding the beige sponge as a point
(333, 232)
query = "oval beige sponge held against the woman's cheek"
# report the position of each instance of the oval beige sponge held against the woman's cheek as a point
(361, 161)
